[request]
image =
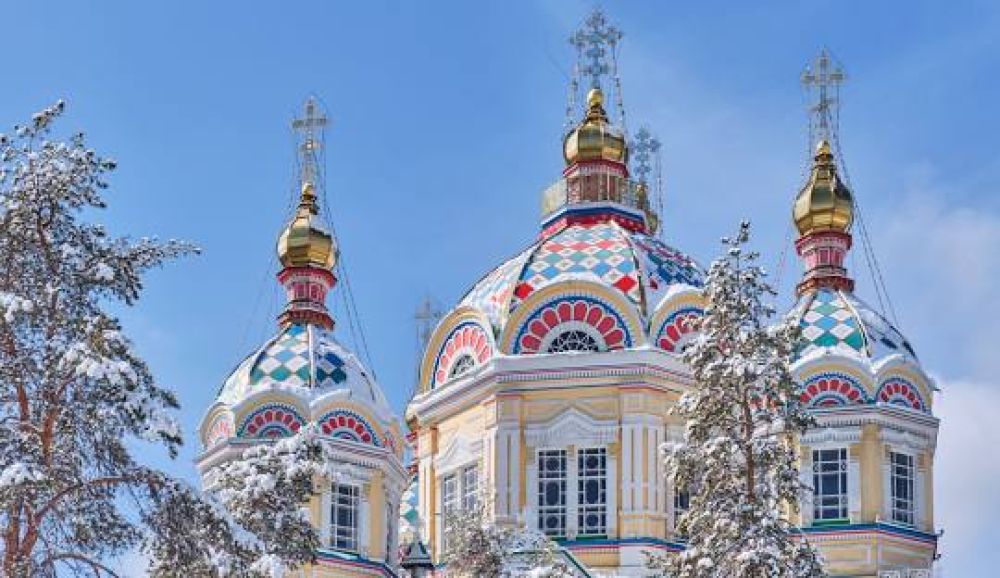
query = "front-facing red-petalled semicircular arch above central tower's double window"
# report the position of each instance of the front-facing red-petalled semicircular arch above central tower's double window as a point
(572, 318)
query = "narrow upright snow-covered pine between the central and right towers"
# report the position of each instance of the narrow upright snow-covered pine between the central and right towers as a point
(738, 455)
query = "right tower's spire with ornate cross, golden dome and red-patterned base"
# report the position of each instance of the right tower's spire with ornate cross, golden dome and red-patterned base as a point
(824, 208)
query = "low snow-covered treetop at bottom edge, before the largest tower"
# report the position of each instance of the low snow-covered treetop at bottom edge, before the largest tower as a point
(477, 547)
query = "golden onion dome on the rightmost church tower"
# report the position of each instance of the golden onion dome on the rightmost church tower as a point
(824, 203)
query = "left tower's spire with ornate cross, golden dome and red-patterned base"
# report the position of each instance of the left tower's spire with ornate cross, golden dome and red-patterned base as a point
(307, 247)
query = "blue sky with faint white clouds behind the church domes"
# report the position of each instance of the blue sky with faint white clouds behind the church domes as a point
(446, 120)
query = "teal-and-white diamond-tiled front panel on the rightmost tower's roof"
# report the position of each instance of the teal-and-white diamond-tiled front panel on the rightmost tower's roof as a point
(828, 321)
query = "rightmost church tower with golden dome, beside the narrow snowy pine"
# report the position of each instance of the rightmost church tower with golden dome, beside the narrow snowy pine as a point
(870, 458)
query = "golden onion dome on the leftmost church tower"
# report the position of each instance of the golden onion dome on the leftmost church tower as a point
(306, 241)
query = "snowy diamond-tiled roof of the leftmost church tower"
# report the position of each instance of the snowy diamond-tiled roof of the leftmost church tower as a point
(307, 358)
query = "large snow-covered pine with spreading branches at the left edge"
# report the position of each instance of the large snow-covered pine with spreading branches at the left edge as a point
(73, 392)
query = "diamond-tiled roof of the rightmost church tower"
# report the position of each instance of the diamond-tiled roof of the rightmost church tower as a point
(837, 321)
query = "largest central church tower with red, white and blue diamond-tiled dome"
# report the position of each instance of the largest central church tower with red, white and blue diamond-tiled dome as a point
(543, 393)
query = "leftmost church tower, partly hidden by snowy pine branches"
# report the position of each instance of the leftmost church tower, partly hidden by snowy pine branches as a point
(303, 375)
